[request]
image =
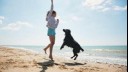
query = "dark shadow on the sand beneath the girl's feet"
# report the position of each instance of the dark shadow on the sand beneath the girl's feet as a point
(45, 65)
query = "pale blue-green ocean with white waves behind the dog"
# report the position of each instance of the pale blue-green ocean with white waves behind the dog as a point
(105, 54)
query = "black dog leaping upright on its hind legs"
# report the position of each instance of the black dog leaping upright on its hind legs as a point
(70, 42)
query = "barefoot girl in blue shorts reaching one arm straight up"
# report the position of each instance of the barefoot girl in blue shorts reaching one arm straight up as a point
(52, 25)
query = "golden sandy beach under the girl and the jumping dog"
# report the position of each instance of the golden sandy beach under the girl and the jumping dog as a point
(18, 60)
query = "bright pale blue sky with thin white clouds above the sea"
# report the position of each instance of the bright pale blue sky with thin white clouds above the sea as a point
(92, 22)
